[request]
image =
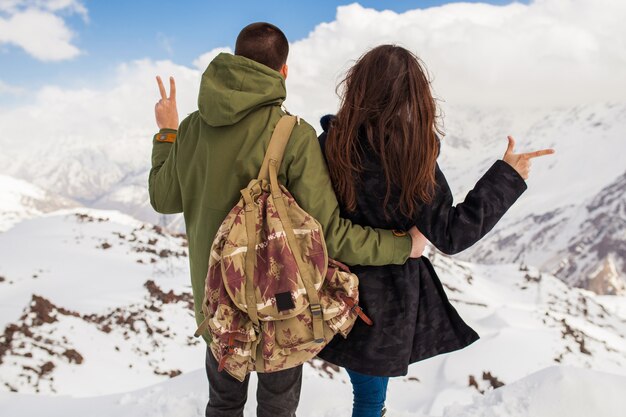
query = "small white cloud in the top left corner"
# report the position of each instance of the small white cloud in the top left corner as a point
(34, 25)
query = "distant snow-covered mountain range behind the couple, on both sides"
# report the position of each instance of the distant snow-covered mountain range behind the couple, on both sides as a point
(555, 225)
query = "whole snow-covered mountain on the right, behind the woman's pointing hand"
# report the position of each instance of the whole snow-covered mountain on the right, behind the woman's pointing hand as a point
(571, 222)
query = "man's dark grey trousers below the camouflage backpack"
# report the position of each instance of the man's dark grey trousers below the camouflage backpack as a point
(277, 394)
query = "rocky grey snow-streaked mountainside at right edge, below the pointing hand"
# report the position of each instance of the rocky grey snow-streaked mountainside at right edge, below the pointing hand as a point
(584, 245)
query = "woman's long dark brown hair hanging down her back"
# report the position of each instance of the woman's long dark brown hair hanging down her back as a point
(387, 98)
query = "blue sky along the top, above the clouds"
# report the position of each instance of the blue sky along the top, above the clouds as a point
(117, 31)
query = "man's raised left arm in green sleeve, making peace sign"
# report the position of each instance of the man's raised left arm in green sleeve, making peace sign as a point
(163, 183)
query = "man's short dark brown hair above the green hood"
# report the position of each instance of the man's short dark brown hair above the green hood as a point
(264, 43)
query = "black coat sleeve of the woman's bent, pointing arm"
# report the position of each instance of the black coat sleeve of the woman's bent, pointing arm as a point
(453, 229)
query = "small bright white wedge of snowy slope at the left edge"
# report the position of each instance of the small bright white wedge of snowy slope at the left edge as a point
(21, 200)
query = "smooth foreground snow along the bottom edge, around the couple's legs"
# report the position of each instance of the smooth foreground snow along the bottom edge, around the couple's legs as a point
(551, 392)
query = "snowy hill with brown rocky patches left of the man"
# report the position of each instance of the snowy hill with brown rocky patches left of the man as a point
(84, 292)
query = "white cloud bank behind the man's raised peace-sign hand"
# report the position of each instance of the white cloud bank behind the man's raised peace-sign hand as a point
(123, 105)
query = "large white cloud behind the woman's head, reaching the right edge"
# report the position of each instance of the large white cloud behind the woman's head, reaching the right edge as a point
(547, 53)
